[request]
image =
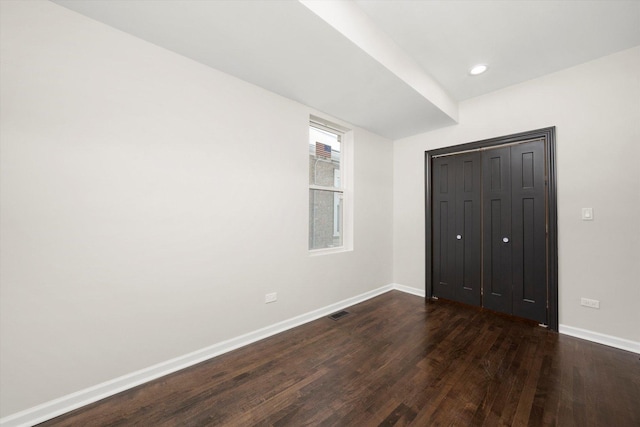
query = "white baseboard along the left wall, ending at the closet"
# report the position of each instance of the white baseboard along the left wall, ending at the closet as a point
(62, 405)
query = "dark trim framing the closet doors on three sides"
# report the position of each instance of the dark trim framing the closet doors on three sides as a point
(549, 136)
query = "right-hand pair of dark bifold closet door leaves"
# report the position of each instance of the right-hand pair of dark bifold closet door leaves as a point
(514, 241)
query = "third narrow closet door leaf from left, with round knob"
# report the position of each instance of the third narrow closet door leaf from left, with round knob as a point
(496, 204)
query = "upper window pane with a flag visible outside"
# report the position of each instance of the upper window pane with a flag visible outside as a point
(324, 158)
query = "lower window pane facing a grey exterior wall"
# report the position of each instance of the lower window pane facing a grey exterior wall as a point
(325, 219)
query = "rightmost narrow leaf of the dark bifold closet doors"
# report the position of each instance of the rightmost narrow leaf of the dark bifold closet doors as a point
(528, 243)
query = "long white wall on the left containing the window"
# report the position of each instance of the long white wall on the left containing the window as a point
(148, 204)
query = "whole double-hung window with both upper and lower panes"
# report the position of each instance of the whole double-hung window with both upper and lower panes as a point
(327, 195)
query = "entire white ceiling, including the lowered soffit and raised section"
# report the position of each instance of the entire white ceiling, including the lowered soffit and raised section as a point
(396, 68)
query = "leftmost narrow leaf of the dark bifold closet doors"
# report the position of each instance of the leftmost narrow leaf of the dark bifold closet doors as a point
(443, 227)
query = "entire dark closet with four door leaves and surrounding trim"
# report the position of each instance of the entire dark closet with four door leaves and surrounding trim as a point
(490, 207)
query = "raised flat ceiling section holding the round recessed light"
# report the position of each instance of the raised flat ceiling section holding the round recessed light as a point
(520, 40)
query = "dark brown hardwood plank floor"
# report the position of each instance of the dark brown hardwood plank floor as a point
(394, 360)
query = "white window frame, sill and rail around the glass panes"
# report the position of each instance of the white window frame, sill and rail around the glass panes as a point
(345, 187)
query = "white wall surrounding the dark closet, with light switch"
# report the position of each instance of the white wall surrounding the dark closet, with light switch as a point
(596, 108)
